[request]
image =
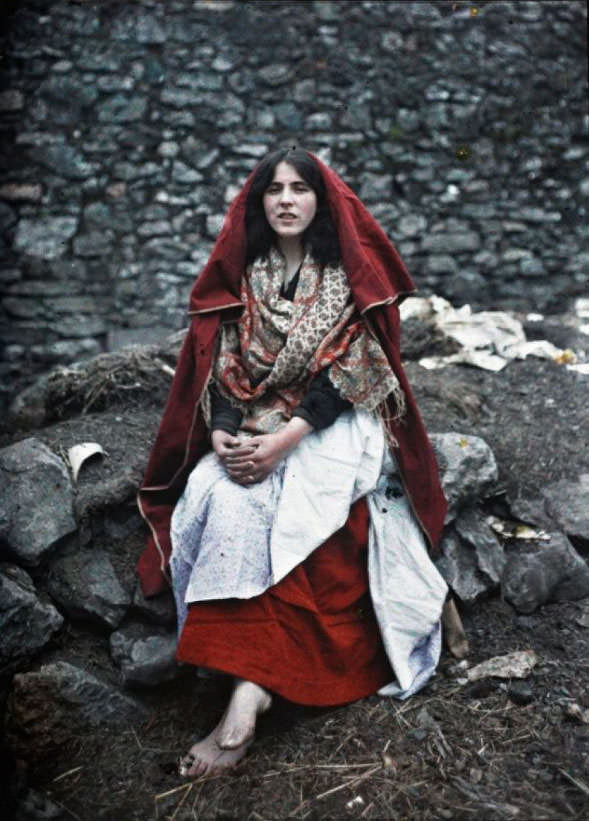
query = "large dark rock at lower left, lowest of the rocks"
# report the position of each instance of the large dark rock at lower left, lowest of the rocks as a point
(54, 706)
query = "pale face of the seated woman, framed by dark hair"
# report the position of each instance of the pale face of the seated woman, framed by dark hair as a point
(289, 202)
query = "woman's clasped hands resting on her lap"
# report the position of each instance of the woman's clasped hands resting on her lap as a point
(250, 461)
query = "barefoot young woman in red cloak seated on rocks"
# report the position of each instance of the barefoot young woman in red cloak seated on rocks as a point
(292, 492)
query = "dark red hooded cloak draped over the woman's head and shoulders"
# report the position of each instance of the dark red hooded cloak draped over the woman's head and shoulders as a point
(378, 282)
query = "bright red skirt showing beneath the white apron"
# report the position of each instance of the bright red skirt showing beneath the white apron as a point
(312, 638)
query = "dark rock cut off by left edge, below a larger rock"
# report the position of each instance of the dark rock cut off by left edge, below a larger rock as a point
(27, 624)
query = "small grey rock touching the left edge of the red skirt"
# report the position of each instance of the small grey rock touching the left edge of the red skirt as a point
(144, 653)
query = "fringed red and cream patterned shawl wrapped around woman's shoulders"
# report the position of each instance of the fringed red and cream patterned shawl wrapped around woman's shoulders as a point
(266, 361)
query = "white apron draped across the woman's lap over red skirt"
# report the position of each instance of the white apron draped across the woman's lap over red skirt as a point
(233, 541)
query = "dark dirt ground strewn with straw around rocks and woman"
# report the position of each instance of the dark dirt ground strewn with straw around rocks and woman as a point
(483, 750)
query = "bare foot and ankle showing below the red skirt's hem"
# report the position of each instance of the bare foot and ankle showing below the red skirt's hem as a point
(229, 741)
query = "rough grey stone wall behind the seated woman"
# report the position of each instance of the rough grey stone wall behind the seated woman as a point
(128, 126)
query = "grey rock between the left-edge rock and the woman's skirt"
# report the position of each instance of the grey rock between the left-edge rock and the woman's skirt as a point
(86, 586)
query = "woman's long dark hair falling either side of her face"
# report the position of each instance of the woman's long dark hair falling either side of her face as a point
(321, 234)
